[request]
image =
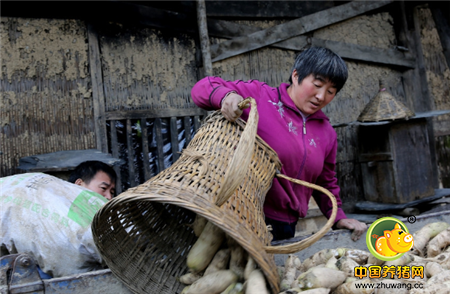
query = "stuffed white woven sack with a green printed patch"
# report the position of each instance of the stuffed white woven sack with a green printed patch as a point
(50, 219)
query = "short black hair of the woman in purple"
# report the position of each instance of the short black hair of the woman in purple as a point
(323, 62)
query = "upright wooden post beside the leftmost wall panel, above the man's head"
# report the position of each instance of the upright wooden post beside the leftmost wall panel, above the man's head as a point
(97, 90)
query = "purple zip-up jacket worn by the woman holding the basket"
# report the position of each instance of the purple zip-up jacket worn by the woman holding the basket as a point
(306, 147)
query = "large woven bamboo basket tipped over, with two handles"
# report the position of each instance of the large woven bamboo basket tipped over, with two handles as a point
(223, 175)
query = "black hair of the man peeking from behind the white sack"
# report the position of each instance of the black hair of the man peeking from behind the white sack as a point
(88, 169)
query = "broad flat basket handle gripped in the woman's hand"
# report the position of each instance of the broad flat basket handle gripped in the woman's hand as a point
(242, 155)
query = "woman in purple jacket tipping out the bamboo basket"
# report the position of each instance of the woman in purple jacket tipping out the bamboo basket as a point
(292, 123)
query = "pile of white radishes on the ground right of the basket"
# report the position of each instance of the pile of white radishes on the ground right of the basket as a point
(333, 270)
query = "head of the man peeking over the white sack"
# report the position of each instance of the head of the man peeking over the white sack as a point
(96, 176)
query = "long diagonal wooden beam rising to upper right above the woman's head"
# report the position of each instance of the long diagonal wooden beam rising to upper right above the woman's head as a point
(291, 29)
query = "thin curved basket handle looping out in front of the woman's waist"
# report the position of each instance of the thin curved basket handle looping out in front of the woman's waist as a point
(298, 246)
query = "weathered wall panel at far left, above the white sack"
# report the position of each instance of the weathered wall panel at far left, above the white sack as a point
(46, 102)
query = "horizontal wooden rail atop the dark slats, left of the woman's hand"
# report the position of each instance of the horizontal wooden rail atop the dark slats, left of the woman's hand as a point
(153, 113)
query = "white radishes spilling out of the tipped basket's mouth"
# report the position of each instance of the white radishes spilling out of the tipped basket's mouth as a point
(219, 265)
